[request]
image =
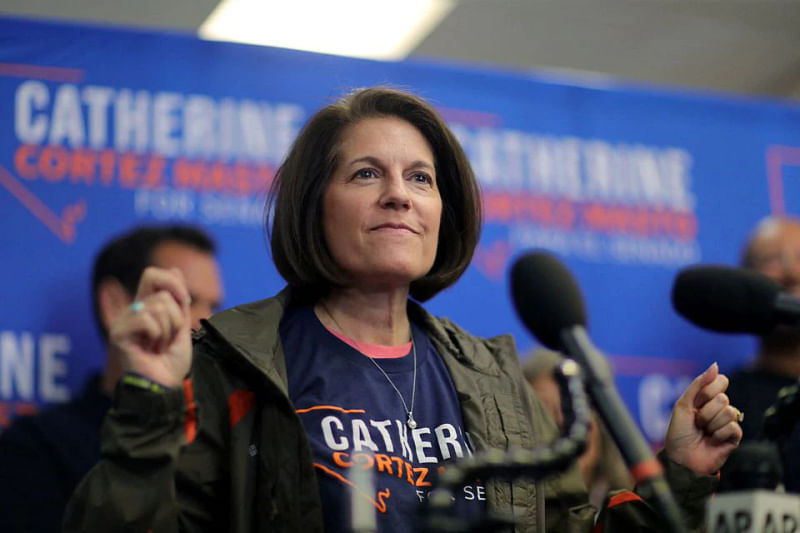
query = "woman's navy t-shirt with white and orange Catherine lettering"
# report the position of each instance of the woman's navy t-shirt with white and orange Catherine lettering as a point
(355, 420)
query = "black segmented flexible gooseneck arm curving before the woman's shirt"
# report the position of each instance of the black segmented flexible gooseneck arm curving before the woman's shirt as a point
(539, 463)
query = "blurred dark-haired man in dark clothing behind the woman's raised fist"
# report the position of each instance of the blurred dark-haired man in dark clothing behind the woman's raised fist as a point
(43, 457)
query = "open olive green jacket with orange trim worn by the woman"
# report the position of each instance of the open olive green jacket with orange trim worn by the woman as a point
(229, 453)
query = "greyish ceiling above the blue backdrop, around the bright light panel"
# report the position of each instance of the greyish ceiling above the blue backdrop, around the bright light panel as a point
(742, 46)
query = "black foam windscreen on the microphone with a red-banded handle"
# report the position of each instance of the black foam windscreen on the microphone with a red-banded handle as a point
(546, 297)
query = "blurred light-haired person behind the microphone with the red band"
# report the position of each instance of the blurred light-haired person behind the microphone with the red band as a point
(602, 465)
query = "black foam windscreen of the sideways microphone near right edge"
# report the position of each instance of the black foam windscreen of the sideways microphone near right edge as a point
(726, 299)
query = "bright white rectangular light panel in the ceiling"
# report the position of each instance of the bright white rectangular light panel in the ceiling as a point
(377, 29)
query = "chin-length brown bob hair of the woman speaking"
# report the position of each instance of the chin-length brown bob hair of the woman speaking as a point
(298, 245)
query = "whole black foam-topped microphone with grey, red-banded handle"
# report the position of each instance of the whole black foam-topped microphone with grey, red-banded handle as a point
(550, 304)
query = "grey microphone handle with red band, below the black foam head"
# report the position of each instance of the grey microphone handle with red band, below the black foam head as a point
(643, 465)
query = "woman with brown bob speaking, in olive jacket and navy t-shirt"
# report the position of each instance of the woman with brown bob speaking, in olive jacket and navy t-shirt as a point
(262, 426)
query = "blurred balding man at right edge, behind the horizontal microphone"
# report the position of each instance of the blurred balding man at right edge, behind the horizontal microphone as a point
(773, 249)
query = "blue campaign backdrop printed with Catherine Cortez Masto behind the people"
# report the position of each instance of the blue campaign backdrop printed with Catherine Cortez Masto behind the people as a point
(102, 129)
